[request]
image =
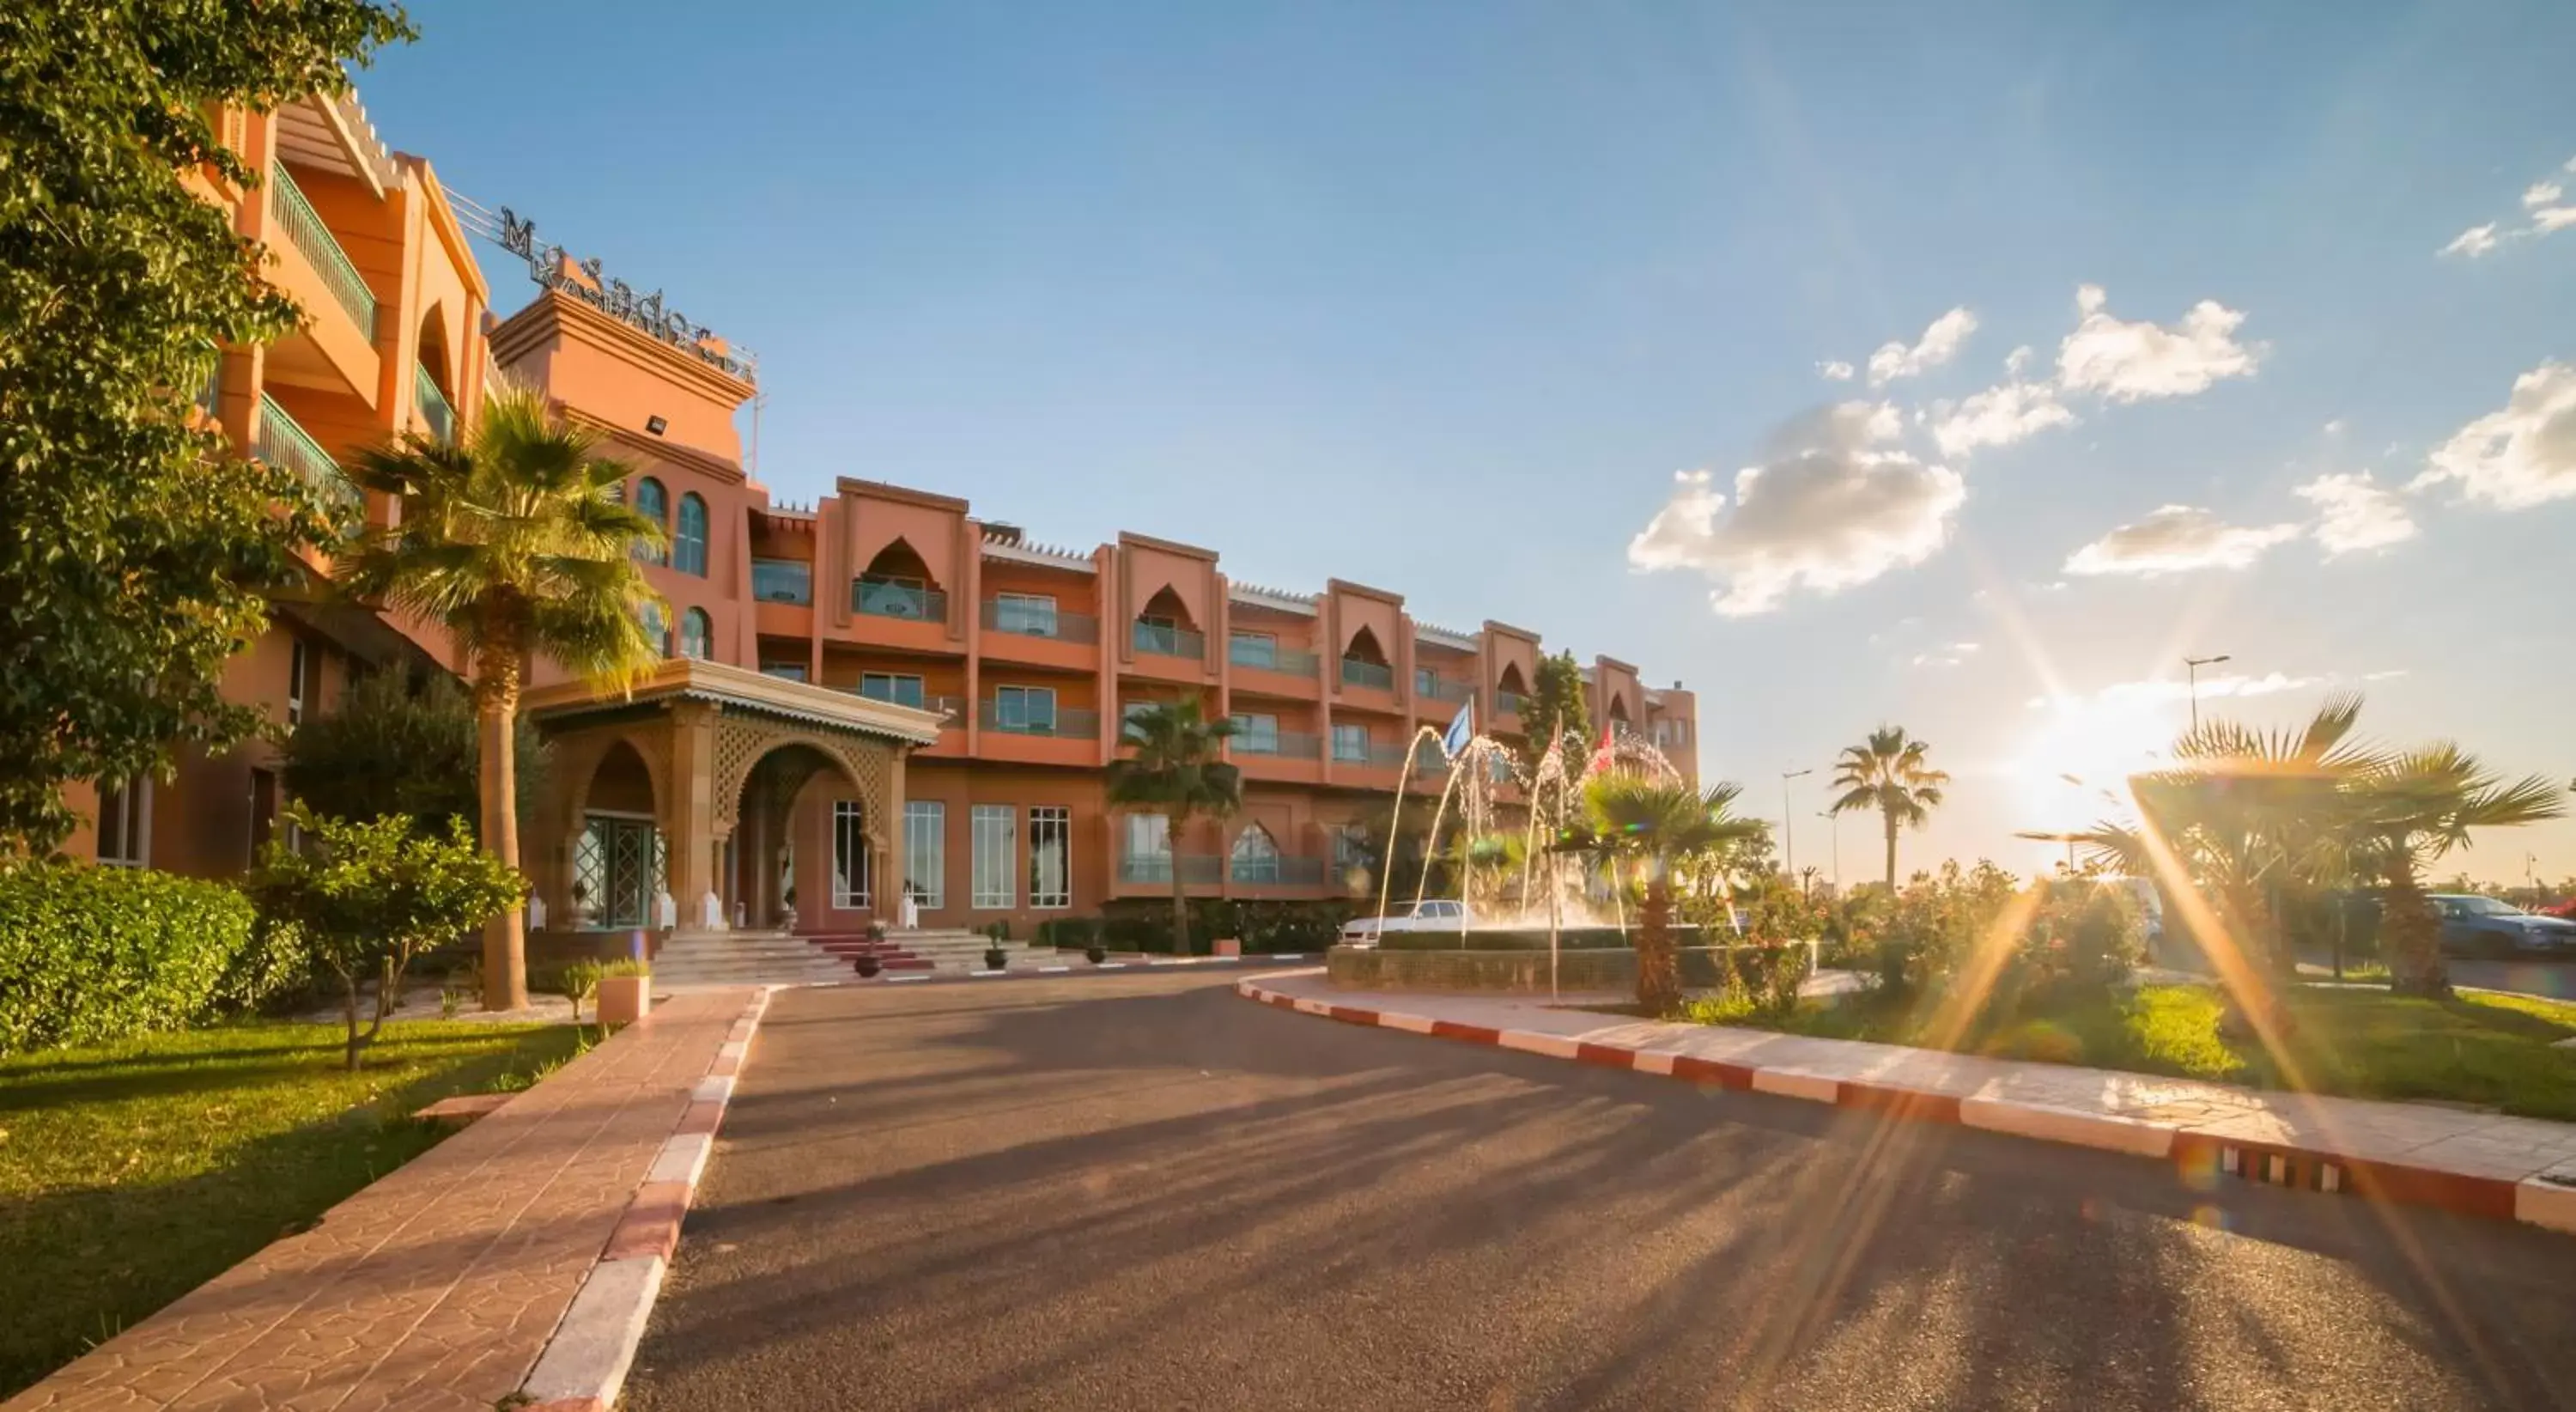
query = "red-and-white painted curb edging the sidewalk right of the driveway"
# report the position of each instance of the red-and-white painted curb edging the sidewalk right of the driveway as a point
(2206, 1156)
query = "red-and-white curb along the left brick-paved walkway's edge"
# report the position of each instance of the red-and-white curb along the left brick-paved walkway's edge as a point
(594, 1346)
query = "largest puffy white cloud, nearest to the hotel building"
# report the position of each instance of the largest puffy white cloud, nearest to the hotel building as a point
(1830, 506)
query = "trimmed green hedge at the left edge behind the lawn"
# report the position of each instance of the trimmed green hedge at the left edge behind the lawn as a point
(94, 955)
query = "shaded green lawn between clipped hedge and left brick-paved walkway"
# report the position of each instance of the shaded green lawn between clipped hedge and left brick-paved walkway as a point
(133, 1174)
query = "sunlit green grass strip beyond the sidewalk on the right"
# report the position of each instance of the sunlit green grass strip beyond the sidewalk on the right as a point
(2485, 1050)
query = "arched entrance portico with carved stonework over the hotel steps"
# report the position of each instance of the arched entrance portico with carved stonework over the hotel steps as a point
(692, 779)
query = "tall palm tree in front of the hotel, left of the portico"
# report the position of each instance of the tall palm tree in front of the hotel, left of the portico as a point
(519, 542)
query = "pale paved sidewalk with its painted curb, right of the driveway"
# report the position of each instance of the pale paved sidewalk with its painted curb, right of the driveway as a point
(2479, 1163)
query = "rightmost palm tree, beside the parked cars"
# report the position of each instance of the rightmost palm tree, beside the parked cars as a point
(2410, 810)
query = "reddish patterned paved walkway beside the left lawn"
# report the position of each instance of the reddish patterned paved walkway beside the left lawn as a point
(442, 1284)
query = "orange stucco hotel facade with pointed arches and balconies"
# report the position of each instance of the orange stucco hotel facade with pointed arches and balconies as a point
(1014, 658)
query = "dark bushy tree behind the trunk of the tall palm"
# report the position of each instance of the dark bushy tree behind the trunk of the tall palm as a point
(393, 749)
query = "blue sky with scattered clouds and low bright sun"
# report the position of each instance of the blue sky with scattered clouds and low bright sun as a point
(1441, 298)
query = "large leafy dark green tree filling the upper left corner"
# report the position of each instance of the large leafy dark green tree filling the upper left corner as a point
(133, 548)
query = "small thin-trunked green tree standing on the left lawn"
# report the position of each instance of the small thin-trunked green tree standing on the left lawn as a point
(367, 895)
